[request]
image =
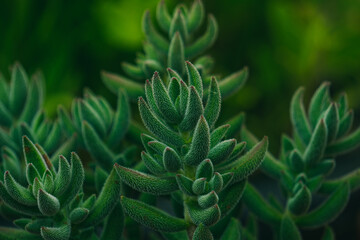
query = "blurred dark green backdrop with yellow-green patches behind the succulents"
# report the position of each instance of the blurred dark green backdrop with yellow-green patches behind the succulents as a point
(285, 44)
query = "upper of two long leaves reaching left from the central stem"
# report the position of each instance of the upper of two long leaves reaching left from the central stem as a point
(146, 183)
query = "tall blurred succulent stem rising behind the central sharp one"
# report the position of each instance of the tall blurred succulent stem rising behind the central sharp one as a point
(178, 41)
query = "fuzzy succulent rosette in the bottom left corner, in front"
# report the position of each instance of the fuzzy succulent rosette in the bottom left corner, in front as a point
(53, 205)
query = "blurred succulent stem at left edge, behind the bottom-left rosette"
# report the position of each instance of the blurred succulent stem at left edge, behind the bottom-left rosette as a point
(21, 109)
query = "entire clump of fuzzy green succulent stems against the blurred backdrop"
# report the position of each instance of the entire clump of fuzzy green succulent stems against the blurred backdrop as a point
(190, 164)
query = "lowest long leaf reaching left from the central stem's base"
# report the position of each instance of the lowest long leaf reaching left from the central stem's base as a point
(152, 217)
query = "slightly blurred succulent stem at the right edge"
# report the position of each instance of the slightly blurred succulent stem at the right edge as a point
(304, 166)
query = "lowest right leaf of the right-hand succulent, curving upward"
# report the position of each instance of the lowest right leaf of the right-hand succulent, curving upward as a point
(328, 211)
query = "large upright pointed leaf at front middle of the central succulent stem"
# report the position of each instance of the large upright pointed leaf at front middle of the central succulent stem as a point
(200, 144)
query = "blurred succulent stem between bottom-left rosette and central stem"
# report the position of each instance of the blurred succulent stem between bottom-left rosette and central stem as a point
(100, 127)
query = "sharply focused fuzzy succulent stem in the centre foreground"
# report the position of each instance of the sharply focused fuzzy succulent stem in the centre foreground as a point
(188, 157)
